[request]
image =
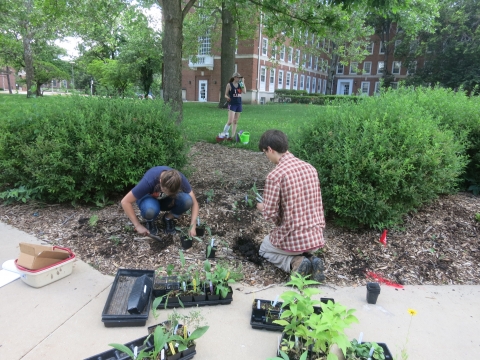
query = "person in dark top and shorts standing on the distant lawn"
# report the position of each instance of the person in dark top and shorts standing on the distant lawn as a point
(233, 94)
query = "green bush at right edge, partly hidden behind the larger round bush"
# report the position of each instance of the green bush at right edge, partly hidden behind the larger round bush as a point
(461, 113)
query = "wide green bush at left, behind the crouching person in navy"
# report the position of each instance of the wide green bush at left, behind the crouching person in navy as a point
(86, 149)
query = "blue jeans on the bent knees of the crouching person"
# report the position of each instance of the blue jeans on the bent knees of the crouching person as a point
(151, 207)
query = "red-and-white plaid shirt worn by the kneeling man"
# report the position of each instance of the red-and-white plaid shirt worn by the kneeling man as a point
(293, 202)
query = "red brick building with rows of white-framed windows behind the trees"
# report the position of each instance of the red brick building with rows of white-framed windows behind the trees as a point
(201, 80)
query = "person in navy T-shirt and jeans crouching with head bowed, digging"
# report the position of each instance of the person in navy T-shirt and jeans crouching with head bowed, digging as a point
(161, 189)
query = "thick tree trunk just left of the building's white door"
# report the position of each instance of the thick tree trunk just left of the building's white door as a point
(172, 54)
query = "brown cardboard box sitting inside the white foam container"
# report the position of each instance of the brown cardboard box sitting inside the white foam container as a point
(34, 257)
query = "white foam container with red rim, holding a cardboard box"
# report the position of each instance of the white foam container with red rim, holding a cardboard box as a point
(47, 275)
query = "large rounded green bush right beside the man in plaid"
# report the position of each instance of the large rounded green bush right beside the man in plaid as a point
(381, 158)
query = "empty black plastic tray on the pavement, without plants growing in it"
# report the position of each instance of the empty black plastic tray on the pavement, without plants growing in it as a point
(115, 312)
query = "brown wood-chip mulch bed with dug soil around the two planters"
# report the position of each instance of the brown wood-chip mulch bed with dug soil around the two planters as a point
(439, 244)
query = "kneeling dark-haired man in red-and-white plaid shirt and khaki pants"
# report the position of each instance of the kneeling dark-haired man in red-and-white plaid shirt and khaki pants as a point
(293, 202)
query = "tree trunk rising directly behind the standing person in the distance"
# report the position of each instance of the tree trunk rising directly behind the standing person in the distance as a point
(229, 33)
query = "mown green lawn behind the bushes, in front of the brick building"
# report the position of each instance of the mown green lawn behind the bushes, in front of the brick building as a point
(203, 121)
